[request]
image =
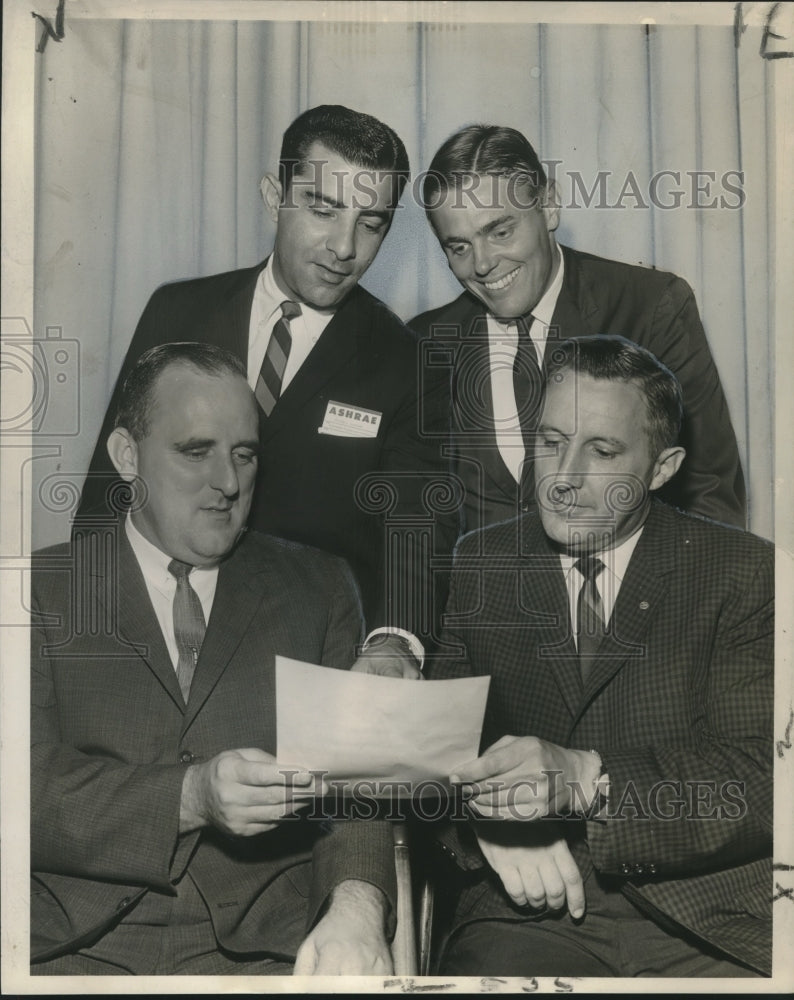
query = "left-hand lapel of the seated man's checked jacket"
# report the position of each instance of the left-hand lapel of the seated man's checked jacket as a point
(544, 592)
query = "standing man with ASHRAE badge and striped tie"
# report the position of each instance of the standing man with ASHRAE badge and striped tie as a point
(335, 372)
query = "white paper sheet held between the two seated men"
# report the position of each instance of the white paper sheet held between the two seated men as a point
(365, 727)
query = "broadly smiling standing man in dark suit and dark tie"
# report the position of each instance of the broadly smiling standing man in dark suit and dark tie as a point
(493, 210)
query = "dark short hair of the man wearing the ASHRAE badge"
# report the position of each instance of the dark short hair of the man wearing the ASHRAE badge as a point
(358, 138)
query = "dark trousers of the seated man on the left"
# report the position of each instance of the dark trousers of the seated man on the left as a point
(162, 935)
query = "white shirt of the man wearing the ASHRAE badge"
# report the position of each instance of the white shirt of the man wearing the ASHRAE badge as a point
(265, 313)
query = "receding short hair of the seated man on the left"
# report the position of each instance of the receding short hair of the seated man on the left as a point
(137, 391)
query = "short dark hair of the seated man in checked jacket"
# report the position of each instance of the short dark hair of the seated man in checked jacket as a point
(616, 359)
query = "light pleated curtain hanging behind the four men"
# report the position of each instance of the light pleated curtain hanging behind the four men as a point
(152, 137)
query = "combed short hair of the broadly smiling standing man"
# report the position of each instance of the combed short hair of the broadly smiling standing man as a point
(479, 150)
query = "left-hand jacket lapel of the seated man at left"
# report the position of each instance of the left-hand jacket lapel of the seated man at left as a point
(121, 591)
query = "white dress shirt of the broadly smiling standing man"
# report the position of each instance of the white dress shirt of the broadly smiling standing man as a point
(502, 345)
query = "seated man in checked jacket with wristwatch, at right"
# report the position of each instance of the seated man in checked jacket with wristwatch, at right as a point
(628, 730)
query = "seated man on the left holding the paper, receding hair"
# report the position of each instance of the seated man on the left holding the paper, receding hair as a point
(165, 836)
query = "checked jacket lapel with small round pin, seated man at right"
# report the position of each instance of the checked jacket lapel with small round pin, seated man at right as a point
(646, 582)
